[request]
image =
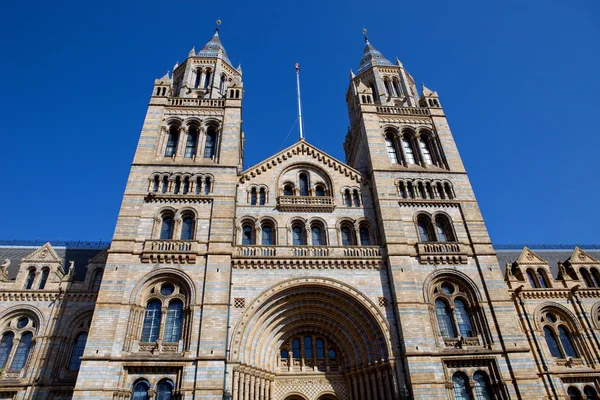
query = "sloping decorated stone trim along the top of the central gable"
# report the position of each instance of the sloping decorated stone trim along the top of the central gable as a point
(301, 148)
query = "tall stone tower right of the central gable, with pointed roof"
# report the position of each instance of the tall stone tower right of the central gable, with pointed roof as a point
(441, 264)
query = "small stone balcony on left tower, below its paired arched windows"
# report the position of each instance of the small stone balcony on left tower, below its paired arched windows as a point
(170, 251)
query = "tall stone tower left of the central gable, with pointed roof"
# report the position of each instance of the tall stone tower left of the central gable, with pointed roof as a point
(160, 324)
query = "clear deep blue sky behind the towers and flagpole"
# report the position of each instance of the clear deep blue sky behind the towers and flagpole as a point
(518, 81)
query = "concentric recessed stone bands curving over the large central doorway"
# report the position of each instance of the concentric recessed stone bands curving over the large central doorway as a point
(334, 308)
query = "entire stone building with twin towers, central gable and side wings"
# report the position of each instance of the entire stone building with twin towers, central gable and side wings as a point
(301, 277)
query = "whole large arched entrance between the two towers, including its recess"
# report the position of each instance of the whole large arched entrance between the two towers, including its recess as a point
(314, 338)
